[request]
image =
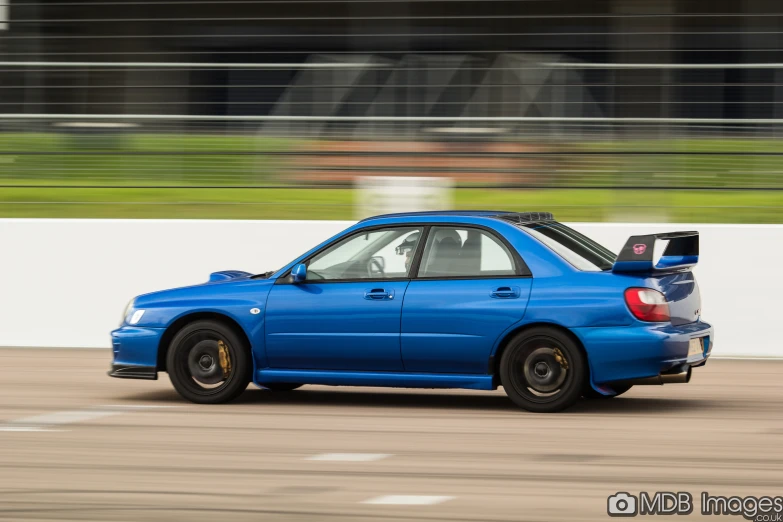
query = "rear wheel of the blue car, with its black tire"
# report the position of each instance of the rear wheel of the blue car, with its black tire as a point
(533, 377)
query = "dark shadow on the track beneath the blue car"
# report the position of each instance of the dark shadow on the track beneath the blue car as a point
(438, 400)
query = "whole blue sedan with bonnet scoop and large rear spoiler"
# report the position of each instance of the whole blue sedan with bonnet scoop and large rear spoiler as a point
(460, 299)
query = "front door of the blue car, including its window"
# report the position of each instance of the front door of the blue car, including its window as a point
(346, 314)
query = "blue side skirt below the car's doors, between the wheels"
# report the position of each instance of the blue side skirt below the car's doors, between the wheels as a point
(384, 379)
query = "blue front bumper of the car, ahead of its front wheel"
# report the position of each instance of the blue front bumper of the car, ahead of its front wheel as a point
(135, 352)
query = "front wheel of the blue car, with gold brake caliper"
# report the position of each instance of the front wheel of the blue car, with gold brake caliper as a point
(195, 367)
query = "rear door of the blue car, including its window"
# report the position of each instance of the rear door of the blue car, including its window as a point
(471, 287)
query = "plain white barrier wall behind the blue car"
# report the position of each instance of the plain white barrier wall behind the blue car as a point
(66, 282)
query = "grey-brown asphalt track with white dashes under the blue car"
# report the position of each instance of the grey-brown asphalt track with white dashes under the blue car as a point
(78, 445)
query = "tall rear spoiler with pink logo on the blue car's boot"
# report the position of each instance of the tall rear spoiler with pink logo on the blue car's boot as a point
(682, 252)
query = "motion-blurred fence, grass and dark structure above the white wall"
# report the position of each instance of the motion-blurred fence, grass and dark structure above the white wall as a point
(608, 110)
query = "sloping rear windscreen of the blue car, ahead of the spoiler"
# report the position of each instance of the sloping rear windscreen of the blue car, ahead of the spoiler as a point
(579, 250)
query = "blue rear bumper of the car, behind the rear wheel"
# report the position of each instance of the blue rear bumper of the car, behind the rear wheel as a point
(635, 352)
